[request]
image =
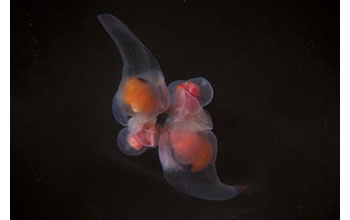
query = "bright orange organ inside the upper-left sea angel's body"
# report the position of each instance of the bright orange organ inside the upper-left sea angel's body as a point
(139, 95)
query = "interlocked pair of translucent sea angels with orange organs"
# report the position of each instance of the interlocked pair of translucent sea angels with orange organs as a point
(186, 145)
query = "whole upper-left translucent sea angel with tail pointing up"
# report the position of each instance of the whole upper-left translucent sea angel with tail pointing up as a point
(142, 93)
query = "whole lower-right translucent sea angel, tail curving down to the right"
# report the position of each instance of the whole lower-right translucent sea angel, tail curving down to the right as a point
(188, 147)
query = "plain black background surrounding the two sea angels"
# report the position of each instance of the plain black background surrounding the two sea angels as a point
(274, 66)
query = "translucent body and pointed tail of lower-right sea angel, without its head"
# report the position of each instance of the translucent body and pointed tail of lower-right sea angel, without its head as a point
(188, 162)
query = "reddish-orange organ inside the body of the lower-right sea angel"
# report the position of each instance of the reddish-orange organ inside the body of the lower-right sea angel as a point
(190, 148)
